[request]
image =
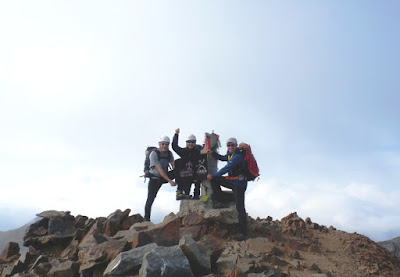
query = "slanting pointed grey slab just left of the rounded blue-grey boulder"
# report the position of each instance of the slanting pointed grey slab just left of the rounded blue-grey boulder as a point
(129, 262)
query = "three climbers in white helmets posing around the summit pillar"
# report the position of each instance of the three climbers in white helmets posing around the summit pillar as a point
(236, 167)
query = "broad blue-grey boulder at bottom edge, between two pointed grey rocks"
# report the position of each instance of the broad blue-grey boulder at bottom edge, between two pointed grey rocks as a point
(165, 261)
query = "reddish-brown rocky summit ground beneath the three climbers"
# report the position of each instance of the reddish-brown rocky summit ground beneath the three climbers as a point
(198, 241)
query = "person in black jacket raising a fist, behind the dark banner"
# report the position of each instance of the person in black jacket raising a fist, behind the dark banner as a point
(191, 153)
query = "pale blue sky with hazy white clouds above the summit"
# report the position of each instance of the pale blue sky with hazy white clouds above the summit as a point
(312, 86)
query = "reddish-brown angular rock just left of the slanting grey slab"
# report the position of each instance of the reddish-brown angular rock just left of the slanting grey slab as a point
(100, 254)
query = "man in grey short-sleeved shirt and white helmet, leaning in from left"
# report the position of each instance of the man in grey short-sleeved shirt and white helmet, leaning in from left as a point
(160, 159)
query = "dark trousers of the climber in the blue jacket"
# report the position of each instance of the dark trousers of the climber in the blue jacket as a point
(238, 193)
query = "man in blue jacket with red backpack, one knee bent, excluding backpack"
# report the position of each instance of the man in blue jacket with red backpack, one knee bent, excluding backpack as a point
(236, 181)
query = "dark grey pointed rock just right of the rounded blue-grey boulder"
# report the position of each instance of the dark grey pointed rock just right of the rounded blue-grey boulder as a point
(198, 256)
